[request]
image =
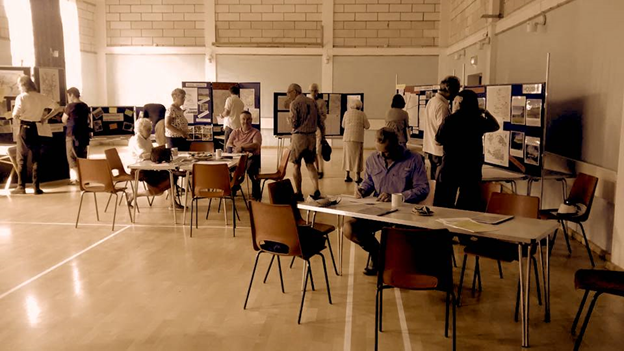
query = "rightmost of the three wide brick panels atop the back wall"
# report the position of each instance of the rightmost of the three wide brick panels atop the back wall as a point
(386, 23)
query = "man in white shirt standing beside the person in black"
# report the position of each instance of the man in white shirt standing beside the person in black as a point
(438, 108)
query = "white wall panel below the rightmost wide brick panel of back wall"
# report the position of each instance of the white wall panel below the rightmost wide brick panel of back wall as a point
(375, 77)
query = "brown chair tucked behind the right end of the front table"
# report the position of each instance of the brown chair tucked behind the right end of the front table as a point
(505, 204)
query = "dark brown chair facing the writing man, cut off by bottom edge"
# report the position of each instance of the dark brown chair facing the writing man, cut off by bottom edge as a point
(415, 259)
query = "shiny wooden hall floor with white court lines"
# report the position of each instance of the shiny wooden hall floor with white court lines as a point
(149, 286)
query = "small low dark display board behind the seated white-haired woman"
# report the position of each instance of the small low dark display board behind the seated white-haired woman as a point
(112, 120)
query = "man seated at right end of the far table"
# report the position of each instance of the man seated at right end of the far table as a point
(248, 139)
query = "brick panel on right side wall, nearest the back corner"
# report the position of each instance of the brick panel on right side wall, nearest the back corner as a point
(466, 18)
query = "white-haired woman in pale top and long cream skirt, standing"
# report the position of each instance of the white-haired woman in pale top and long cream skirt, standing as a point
(354, 124)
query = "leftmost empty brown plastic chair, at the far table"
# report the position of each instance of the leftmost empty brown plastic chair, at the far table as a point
(96, 177)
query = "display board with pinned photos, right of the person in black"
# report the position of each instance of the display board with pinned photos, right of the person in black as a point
(519, 109)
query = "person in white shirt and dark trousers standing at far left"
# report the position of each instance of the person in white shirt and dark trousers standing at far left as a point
(29, 115)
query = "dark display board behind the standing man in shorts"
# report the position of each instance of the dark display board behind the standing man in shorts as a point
(336, 103)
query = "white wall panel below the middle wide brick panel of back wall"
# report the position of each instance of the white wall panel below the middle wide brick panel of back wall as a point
(274, 73)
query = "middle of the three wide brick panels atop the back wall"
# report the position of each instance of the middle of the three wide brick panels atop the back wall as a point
(269, 21)
